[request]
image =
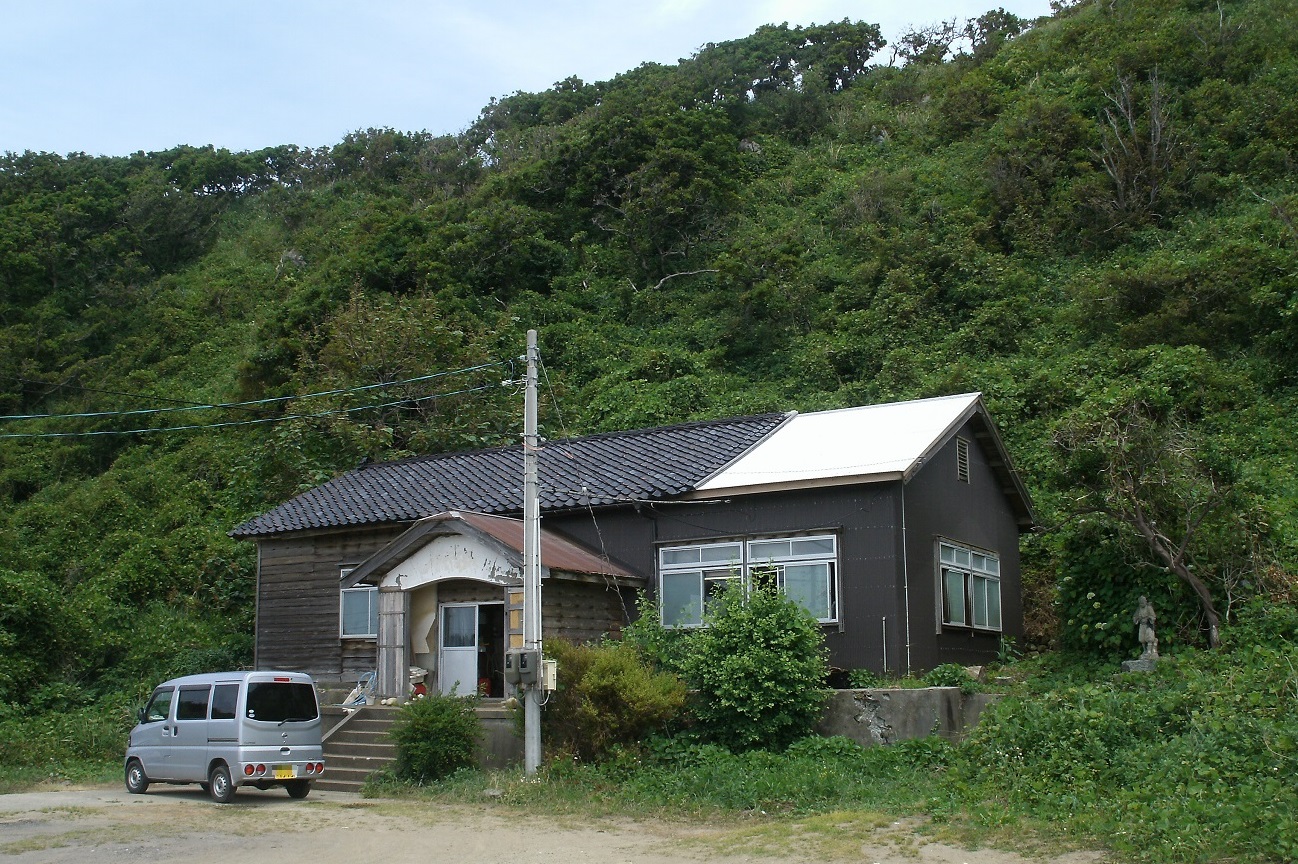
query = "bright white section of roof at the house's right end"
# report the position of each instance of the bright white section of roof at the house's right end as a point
(850, 446)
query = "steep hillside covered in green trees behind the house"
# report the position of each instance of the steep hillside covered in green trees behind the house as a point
(1088, 219)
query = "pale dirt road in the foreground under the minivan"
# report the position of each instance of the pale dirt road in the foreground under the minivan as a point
(181, 824)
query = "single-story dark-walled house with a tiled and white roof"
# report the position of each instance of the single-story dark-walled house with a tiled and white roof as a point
(896, 526)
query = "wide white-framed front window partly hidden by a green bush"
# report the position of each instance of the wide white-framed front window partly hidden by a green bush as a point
(805, 569)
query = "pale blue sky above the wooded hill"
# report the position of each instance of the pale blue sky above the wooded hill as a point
(114, 78)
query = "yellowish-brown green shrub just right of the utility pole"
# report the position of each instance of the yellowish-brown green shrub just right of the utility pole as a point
(607, 699)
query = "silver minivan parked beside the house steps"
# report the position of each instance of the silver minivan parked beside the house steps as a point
(229, 730)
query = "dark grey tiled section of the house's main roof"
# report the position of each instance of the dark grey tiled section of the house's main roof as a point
(644, 465)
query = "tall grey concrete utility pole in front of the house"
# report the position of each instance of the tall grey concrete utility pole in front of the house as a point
(532, 565)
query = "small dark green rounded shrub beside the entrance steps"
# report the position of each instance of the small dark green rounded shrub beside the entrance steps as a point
(435, 738)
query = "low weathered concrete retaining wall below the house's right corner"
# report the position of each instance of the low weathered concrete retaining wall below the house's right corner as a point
(881, 717)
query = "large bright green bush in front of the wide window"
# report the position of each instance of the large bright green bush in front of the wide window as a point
(759, 669)
